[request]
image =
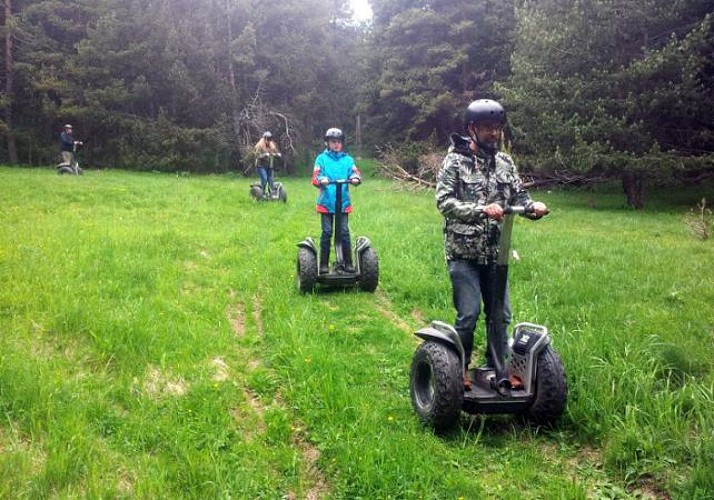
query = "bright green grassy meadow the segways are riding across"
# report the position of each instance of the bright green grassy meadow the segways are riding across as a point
(153, 344)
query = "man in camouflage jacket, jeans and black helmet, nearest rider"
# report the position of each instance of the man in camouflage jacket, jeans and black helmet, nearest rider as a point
(475, 174)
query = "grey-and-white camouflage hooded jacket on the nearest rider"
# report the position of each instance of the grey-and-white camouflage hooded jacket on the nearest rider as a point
(465, 181)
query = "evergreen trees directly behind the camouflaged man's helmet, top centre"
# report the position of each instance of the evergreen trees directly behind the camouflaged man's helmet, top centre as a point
(431, 58)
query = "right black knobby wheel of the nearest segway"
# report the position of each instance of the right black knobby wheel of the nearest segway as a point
(551, 390)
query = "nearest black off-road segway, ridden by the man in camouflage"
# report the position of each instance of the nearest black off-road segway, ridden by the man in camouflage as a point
(437, 387)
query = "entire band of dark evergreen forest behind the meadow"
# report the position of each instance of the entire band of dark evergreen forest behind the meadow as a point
(595, 87)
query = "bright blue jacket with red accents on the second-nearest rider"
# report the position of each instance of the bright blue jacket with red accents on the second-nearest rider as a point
(334, 167)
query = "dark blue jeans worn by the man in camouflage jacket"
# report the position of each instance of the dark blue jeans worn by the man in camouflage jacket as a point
(470, 283)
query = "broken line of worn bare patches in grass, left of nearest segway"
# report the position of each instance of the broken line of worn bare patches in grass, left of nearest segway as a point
(311, 474)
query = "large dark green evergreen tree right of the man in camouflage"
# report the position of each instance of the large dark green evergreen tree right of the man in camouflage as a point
(615, 87)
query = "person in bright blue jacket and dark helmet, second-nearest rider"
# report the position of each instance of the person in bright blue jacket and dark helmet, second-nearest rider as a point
(333, 164)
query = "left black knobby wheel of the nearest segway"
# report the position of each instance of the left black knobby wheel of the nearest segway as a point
(436, 385)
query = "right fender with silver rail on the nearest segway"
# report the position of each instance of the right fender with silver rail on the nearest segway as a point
(526, 344)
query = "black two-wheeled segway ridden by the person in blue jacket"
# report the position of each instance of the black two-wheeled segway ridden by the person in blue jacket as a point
(366, 270)
